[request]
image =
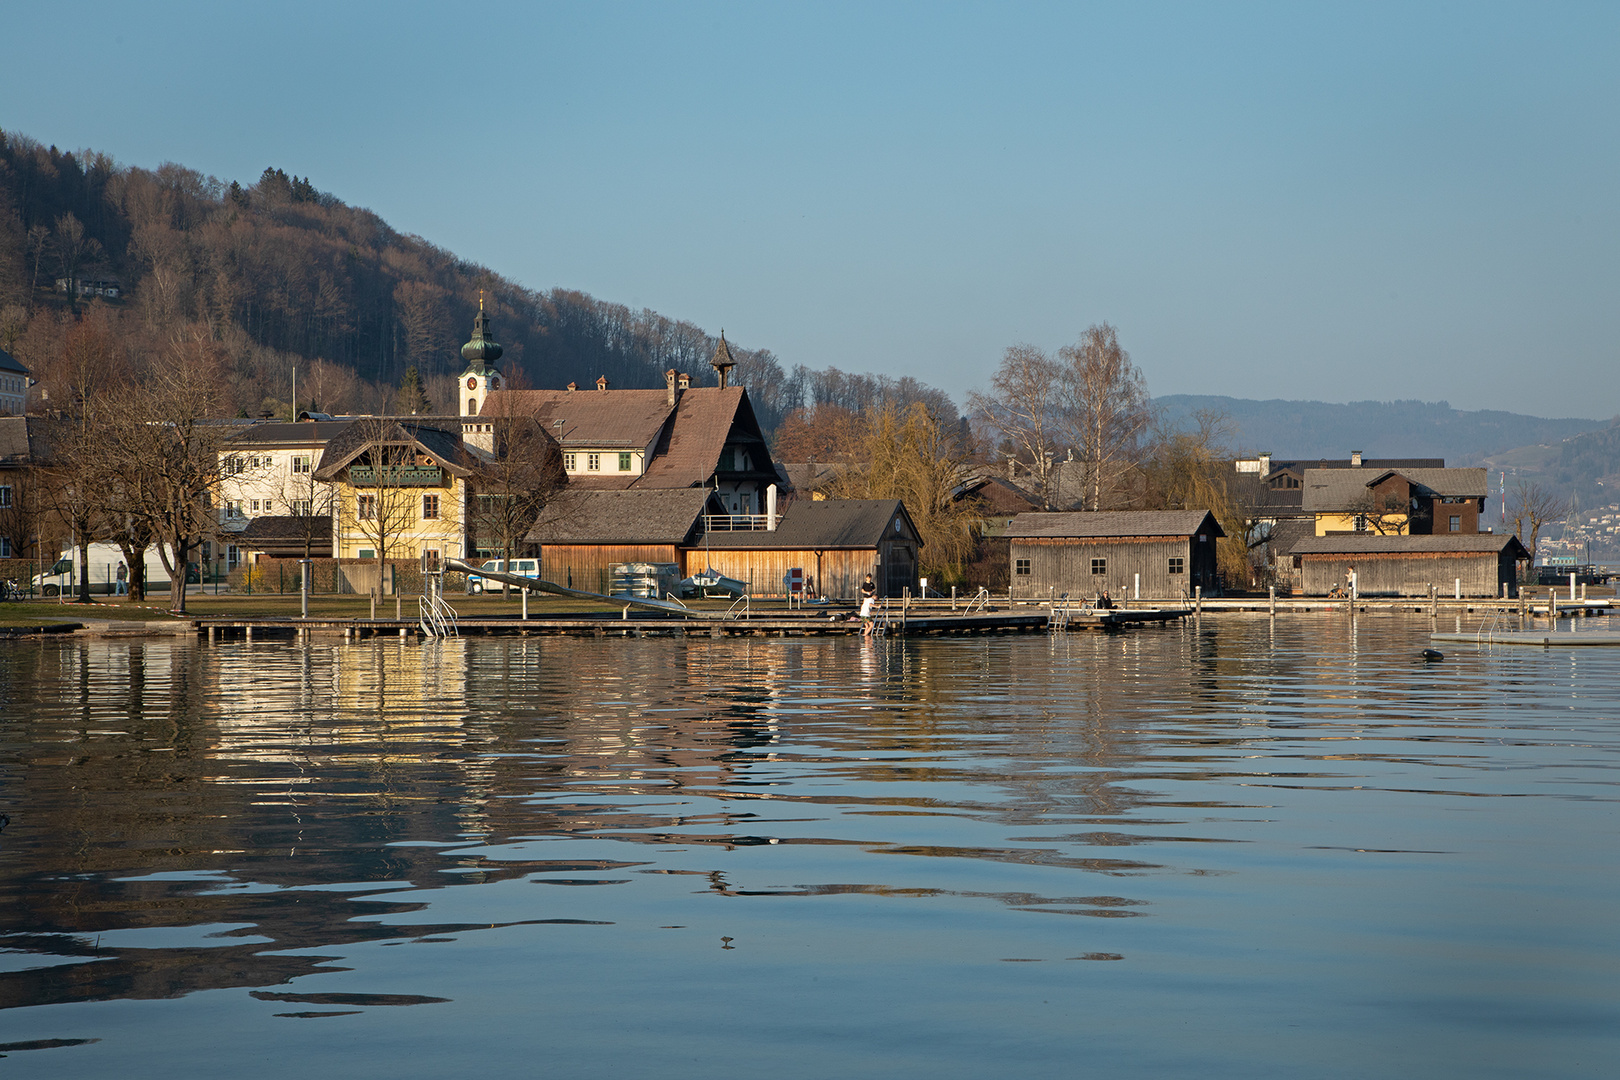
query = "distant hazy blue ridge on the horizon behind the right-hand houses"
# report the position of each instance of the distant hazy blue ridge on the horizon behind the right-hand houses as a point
(1388, 430)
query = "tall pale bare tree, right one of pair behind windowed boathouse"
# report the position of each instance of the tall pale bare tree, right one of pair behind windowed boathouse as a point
(1104, 406)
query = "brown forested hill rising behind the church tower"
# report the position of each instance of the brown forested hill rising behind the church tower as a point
(284, 273)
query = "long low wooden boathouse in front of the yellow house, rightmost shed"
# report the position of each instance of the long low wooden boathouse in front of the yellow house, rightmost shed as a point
(1407, 566)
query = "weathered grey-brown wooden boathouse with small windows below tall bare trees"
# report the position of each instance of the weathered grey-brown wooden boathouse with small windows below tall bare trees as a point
(1170, 551)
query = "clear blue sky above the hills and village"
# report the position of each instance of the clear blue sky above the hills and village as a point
(1302, 202)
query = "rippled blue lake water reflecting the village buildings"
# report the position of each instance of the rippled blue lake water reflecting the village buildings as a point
(1227, 849)
